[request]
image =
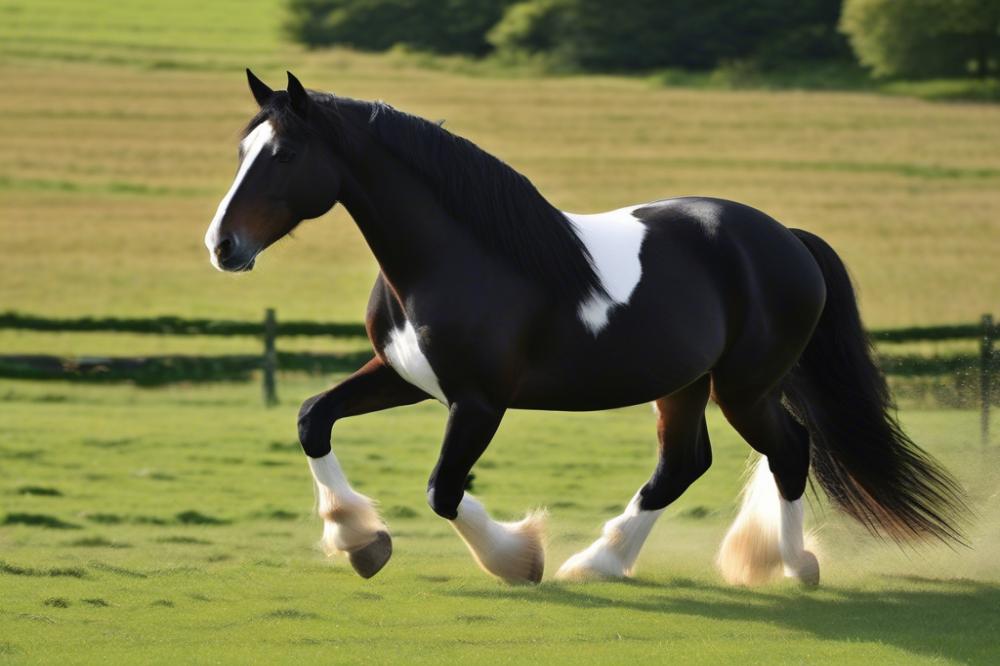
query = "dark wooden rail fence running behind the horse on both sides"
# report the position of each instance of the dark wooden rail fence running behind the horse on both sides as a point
(269, 329)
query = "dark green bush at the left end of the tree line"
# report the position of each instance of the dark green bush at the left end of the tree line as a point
(439, 26)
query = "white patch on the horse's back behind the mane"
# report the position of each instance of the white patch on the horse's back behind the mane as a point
(614, 241)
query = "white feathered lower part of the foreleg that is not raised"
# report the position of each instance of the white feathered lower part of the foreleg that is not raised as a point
(513, 552)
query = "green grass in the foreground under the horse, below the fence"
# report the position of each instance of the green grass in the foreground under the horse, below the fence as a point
(193, 538)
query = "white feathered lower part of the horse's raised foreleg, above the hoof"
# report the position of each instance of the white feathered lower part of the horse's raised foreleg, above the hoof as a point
(350, 521)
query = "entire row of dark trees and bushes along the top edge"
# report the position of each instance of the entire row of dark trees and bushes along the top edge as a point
(904, 38)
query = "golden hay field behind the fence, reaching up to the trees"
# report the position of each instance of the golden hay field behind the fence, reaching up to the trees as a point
(118, 138)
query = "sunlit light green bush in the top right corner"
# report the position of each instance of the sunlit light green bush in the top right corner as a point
(924, 38)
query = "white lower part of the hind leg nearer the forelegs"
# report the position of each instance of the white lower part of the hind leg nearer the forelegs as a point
(615, 553)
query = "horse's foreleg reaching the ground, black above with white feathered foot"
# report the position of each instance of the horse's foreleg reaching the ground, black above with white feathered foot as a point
(513, 552)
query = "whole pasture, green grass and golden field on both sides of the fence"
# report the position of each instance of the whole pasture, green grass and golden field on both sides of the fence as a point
(174, 524)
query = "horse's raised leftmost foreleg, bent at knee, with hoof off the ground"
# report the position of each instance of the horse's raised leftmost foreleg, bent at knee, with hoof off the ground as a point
(350, 522)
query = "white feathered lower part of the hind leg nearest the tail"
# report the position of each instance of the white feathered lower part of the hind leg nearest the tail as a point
(766, 534)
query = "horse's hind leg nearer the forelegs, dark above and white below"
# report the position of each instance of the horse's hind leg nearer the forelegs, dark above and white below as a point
(685, 454)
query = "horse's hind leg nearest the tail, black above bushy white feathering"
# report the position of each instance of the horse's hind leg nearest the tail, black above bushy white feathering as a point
(768, 531)
